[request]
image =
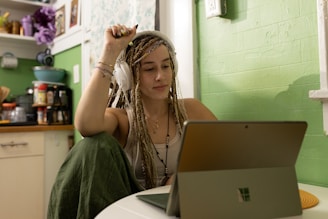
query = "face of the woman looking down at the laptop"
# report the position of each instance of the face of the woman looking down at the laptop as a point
(156, 74)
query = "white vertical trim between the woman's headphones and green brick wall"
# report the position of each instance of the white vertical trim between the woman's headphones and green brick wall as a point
(177, 21)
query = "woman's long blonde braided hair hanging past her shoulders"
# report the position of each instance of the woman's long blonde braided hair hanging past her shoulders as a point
(143, 44)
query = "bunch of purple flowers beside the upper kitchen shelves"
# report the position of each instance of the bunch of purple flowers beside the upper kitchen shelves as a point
(44, 23)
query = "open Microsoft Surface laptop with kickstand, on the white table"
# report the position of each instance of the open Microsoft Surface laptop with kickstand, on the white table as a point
(230, 169)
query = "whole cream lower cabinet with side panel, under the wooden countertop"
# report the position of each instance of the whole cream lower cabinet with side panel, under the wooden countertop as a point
(29, 162)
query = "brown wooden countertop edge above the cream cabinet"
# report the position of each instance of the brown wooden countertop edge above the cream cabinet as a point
(32, 128)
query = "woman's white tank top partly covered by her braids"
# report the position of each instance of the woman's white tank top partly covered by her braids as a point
(134, 154)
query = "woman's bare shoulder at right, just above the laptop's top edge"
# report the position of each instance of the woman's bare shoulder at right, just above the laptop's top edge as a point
(196, 110)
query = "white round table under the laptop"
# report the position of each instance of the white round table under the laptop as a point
(132, 207)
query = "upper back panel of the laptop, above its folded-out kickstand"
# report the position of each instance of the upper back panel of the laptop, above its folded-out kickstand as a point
(218, 145)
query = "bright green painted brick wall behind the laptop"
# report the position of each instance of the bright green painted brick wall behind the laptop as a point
(259, 63)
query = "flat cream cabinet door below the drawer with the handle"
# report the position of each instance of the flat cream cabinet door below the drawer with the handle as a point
(21, 188)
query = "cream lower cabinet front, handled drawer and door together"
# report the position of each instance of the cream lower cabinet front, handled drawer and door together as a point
(21, 176)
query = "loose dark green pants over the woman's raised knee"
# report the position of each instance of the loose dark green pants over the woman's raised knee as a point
(95, 174)
